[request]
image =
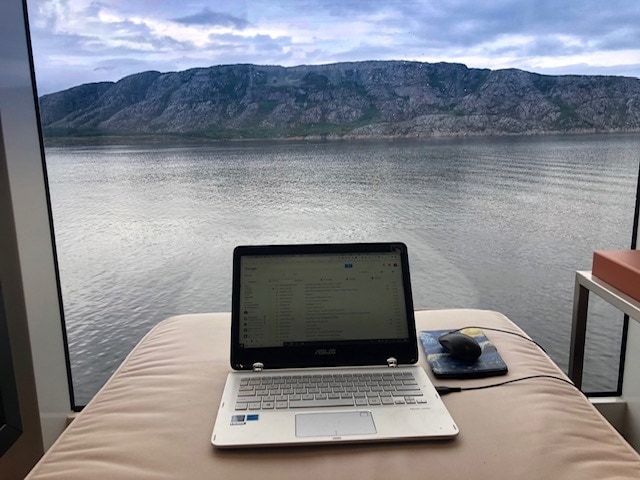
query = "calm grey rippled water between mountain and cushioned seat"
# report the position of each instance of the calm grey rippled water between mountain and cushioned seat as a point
(146, 232)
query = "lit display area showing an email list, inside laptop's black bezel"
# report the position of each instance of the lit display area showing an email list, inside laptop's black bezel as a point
(288, 300)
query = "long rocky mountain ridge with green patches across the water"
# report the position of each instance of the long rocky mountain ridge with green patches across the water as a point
(360, 99)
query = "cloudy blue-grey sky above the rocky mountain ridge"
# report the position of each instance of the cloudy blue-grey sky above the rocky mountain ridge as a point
(81, 41)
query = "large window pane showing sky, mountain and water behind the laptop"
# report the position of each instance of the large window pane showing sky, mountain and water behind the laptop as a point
(175, 131)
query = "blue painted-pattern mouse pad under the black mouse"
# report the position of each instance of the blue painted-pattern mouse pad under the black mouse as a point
(442, 365)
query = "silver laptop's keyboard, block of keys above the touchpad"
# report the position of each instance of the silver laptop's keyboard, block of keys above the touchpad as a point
(258, 392)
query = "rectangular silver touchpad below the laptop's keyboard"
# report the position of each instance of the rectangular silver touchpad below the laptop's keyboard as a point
(334, 424)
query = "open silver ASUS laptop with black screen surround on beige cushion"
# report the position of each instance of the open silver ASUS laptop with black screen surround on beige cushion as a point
(324, 350)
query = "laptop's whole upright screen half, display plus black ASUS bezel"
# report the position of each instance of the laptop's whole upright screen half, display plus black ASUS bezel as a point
(300, 305)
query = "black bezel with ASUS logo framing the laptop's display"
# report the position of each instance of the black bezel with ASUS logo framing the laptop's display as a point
(343, 353)
